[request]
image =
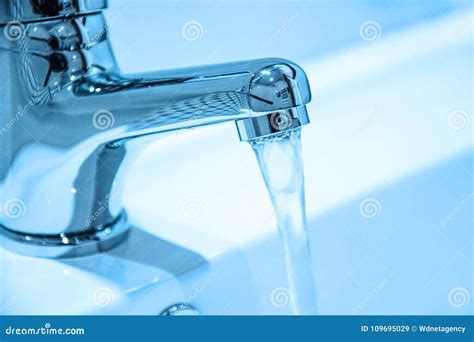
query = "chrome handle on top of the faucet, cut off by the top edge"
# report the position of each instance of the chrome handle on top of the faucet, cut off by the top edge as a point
(21, 10)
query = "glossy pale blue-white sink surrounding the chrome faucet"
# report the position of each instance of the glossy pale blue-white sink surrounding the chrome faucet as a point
(203, 228)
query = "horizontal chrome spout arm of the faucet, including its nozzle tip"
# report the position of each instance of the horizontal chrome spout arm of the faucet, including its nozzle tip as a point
(263, 96)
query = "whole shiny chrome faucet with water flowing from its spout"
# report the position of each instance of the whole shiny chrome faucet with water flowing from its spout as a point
(71, 123)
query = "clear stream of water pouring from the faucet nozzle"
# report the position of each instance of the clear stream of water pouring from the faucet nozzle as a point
(281, 165)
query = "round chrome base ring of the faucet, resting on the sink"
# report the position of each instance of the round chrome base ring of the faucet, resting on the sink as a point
(92, 241)
